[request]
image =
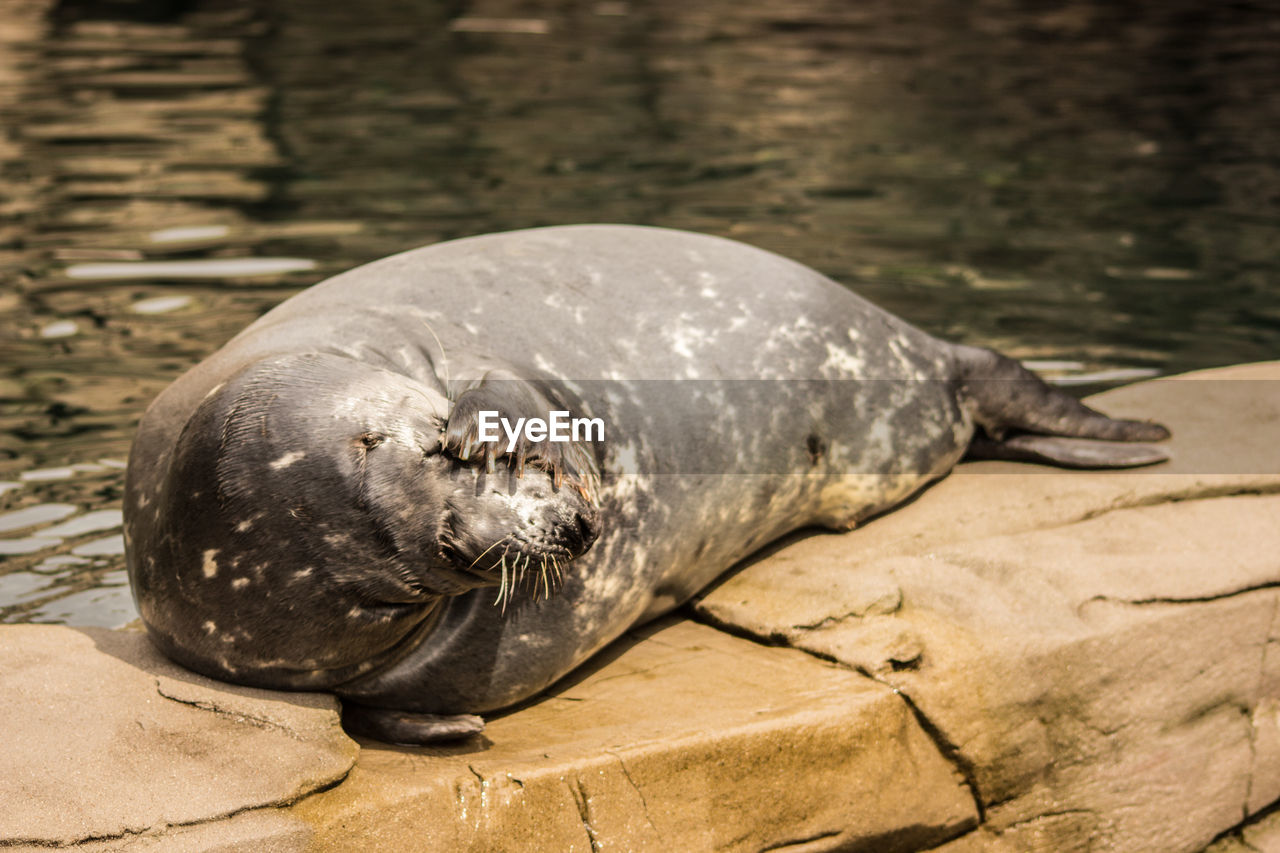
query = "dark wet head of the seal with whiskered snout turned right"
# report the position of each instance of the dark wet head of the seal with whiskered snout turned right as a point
(313, 517)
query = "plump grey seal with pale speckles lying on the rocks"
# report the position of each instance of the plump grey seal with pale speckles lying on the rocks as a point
(314, 507)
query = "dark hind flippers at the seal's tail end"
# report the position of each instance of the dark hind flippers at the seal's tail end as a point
(1027, 419)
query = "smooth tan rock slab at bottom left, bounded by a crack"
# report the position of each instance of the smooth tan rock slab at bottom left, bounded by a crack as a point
(106, 740)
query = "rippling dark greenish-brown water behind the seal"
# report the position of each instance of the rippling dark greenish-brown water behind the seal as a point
(1091, 186)
